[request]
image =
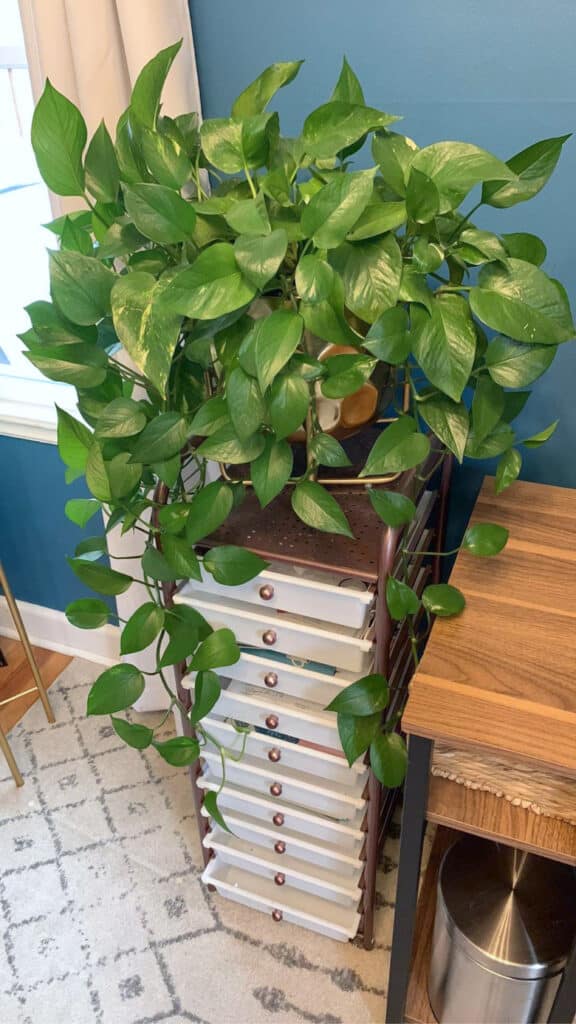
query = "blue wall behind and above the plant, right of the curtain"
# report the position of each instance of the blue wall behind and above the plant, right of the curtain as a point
(499, 73)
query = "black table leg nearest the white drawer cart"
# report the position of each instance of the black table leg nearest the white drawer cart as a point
(414, 824)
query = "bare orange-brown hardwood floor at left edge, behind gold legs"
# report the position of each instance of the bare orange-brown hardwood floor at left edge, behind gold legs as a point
(16, 677)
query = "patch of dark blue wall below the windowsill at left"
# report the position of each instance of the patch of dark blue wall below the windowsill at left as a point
(35, 536)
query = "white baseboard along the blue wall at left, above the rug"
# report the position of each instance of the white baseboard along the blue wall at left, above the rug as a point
(51, 629)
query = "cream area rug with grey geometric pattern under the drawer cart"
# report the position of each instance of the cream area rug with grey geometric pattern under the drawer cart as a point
(103, 915)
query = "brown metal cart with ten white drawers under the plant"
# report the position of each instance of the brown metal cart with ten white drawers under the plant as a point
(294, 710)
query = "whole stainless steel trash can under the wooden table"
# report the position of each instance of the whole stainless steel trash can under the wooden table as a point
(505, 924)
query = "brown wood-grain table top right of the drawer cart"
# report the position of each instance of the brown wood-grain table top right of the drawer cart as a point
(503, 675)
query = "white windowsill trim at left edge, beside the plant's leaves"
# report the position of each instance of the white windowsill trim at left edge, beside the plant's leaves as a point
(28, 408)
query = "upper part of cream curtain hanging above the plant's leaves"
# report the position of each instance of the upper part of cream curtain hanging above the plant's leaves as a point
(93, 51)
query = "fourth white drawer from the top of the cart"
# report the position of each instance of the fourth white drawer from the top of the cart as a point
(280, 714)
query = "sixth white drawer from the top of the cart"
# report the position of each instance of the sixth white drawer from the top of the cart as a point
(295, 787)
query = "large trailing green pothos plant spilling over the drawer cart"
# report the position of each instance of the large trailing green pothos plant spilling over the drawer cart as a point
(184, 228)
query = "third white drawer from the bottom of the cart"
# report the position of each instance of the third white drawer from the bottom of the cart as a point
(290, 844)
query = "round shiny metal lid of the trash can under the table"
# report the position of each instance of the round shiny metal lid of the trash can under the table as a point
(512, 912)
